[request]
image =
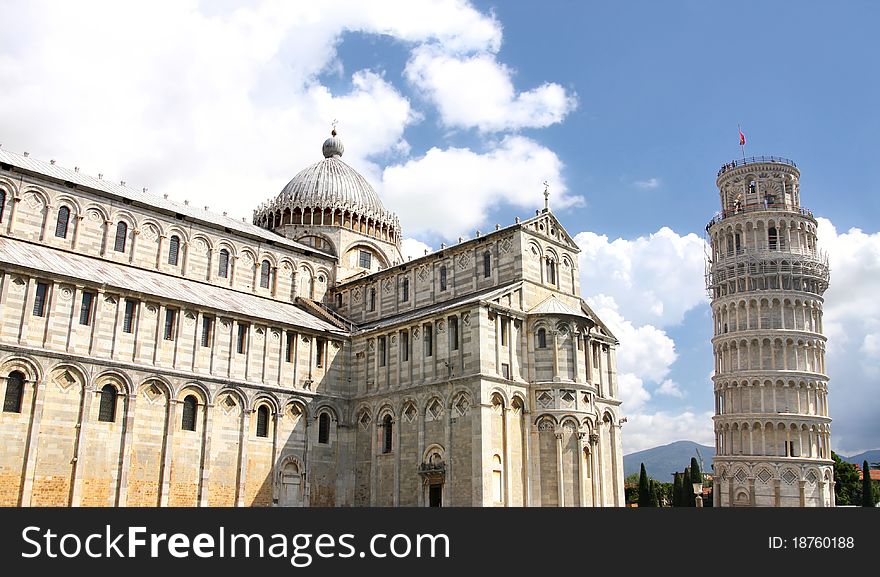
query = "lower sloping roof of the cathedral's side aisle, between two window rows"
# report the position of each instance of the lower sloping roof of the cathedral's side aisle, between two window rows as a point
(57, 263)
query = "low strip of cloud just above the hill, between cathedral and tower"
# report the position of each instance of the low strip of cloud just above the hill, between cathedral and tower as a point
(646, 430)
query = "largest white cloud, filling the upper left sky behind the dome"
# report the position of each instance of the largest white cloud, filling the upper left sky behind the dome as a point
(216, 103)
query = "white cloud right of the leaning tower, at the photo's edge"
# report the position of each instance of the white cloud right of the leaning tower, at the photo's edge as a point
(851, 319)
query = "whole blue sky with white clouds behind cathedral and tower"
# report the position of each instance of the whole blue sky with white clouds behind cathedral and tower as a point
(627, 109)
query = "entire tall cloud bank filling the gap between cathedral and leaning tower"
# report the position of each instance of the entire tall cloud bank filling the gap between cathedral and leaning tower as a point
(638, 287)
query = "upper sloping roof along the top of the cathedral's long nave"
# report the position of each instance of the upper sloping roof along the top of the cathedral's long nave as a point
(56, 172)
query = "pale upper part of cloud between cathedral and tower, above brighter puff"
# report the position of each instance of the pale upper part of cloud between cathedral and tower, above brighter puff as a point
(654, 279)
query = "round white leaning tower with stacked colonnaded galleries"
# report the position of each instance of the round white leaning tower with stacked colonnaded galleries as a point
(766, 278)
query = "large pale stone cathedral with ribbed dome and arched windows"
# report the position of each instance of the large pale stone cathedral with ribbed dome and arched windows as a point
(153, 353)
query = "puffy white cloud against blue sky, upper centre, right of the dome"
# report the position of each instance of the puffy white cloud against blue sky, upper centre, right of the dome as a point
(477, 91)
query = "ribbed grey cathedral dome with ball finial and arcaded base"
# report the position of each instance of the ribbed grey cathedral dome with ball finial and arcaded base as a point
(330, 193)
